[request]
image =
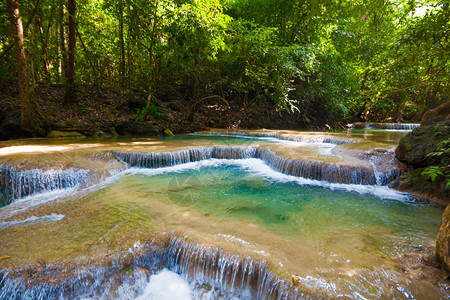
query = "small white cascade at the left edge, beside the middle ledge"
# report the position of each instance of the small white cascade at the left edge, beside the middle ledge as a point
(16, 184)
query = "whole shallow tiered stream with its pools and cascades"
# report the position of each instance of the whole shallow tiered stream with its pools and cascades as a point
(239, 223)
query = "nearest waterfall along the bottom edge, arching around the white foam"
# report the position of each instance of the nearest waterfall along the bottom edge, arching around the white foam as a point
(201, 265)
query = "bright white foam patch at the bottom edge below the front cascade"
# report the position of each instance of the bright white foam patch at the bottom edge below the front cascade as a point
(166, 285)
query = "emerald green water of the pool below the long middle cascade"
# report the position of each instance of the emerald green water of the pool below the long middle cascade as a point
(284, 205)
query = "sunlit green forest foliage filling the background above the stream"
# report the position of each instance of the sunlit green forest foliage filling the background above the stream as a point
(355, 60)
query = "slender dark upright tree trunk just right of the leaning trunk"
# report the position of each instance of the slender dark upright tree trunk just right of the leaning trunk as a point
(70, 73)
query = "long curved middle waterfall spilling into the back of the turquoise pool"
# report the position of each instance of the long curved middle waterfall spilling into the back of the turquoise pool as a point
(316, 170)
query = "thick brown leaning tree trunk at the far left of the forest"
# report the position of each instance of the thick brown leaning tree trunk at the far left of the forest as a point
(32, 120)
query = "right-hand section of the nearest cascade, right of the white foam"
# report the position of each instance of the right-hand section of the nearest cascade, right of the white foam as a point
(227, 272)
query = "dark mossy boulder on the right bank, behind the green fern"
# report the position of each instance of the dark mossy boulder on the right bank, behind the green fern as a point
(415, 146)
